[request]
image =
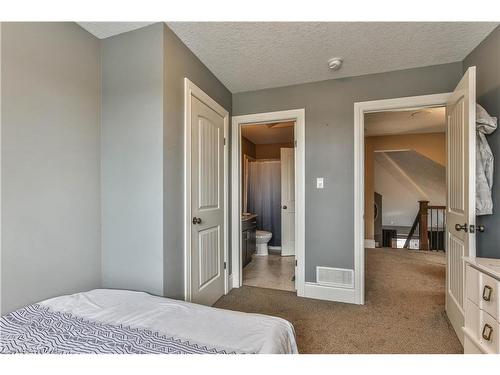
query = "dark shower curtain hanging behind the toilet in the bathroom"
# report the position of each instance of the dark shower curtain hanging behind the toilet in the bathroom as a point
(264, 197)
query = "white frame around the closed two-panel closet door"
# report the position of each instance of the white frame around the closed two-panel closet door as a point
(190, 90)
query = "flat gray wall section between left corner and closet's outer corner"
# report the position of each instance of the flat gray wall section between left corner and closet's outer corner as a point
(132, 160)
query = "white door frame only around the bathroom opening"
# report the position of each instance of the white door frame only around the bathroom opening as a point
(297, 115)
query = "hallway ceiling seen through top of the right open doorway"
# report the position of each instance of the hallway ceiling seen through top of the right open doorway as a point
(429, 120)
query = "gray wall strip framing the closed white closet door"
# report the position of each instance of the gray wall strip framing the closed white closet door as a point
(180, 62)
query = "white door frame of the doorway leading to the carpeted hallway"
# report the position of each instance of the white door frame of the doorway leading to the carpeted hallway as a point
(360, 109)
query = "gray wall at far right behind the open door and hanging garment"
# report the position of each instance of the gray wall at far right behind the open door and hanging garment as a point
(486, 58)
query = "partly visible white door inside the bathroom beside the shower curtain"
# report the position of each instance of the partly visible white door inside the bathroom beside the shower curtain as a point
(287, 201)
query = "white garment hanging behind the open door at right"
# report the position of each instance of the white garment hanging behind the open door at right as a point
(485, 124)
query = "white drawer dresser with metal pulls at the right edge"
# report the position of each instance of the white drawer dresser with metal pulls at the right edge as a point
(482, 306)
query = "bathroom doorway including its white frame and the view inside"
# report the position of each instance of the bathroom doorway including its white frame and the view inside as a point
(267, 217)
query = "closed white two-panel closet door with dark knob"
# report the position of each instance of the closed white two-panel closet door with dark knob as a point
(207, 204)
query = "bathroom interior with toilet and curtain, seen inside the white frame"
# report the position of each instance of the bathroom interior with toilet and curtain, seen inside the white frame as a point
(268, 205)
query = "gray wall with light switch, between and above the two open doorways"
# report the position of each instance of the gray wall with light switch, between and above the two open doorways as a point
(329, 107)
